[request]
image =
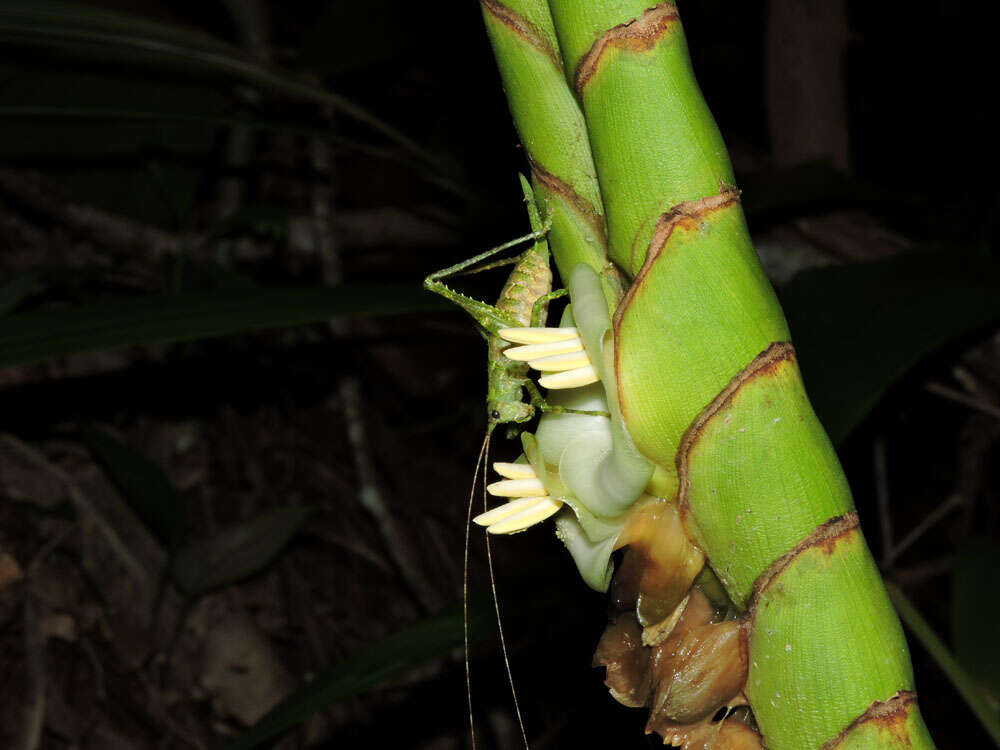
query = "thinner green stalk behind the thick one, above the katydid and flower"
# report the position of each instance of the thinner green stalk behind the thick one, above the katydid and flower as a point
(552, 131)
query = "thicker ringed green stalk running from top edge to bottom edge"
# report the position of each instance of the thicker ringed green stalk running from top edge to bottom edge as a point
(710, 391)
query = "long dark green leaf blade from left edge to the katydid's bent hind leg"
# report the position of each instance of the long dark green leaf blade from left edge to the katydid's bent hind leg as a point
(37, 335)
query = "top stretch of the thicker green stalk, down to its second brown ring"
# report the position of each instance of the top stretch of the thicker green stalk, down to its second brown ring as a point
(655, 144)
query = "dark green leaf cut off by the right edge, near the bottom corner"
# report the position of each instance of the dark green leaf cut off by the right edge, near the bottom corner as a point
(975, 612)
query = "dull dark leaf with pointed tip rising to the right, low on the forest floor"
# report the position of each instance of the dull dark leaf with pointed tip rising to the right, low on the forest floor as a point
(236, 553)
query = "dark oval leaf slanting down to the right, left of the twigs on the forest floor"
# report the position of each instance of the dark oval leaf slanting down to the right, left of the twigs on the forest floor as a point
(143, 484)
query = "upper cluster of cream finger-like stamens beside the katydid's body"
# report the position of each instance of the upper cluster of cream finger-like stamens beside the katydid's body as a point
(556, 351)
